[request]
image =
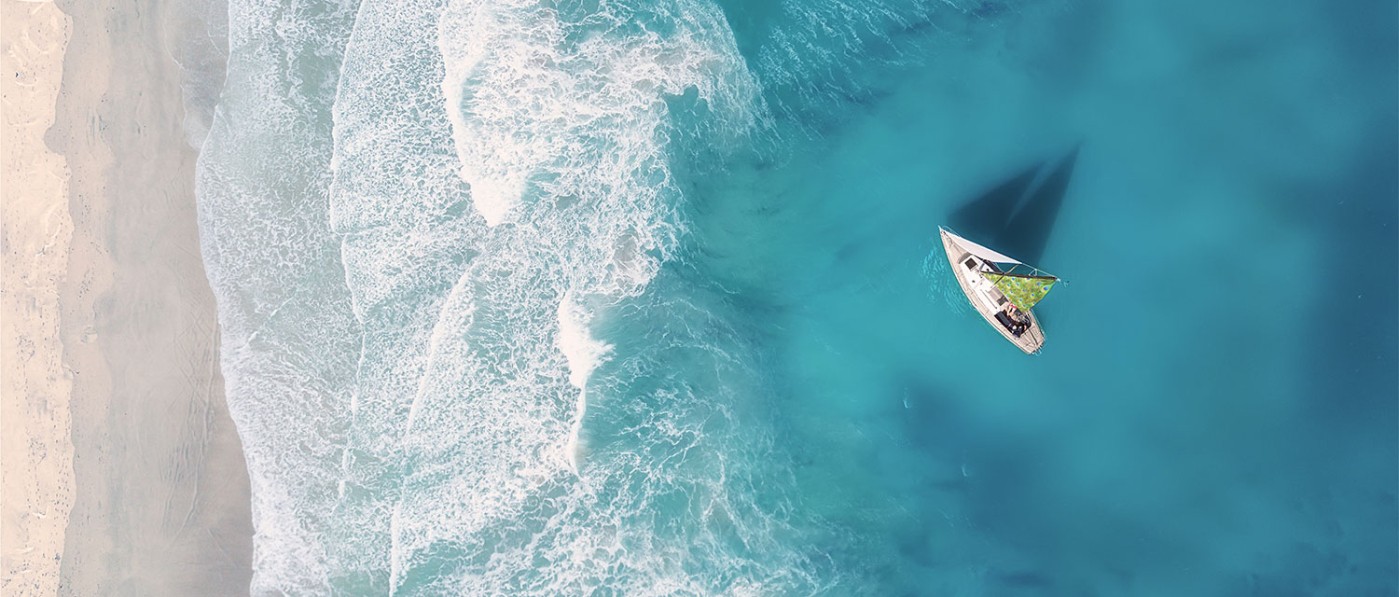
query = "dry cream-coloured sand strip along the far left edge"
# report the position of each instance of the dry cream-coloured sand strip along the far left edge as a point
(36, 230)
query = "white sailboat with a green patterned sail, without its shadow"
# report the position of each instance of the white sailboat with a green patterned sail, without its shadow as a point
(1001, 289)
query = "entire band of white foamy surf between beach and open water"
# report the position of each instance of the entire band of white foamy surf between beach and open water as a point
(464, 338)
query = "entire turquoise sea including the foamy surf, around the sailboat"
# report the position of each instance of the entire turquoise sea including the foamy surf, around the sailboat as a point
(644, 297)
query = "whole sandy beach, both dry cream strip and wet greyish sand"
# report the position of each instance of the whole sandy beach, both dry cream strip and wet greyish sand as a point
(159, 491)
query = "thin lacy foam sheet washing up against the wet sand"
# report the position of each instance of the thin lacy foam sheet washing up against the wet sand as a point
(274, 264)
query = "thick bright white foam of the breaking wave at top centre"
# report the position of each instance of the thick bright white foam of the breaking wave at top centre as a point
(570, 110)
